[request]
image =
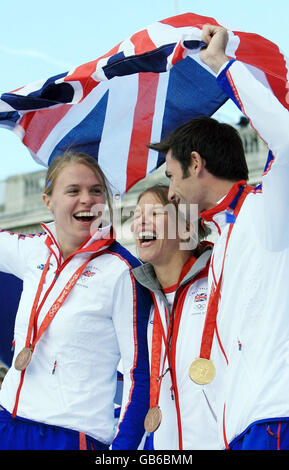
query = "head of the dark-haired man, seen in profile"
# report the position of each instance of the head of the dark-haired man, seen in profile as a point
(204, 158)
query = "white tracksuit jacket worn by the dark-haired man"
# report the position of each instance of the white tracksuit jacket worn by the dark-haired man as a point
(252, 371)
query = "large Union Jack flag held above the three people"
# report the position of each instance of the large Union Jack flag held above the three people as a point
(138, 92)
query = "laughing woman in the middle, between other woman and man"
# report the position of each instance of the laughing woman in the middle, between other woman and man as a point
(181, 415)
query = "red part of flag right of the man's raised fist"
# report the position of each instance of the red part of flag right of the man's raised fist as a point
(265, 55)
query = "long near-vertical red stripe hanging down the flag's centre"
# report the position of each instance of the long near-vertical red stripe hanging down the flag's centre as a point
(142, 128)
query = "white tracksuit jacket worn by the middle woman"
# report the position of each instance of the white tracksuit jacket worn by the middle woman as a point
(188, 420)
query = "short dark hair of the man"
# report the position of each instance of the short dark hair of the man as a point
(219, 144)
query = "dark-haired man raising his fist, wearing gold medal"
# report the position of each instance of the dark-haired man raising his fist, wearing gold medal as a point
(245, 341)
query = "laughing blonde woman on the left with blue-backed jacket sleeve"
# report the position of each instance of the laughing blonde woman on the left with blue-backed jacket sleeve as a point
(81, 310)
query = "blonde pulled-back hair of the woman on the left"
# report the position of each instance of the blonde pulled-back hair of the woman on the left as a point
(61, 161)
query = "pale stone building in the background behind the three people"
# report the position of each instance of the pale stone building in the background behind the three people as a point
(22, 208)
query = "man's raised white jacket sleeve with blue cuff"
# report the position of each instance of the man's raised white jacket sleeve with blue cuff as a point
(271, 121)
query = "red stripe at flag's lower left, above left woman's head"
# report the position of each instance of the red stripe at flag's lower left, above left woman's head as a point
(39, 124)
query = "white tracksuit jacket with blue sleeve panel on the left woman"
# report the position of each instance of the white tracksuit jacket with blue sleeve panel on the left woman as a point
(71, 380)
